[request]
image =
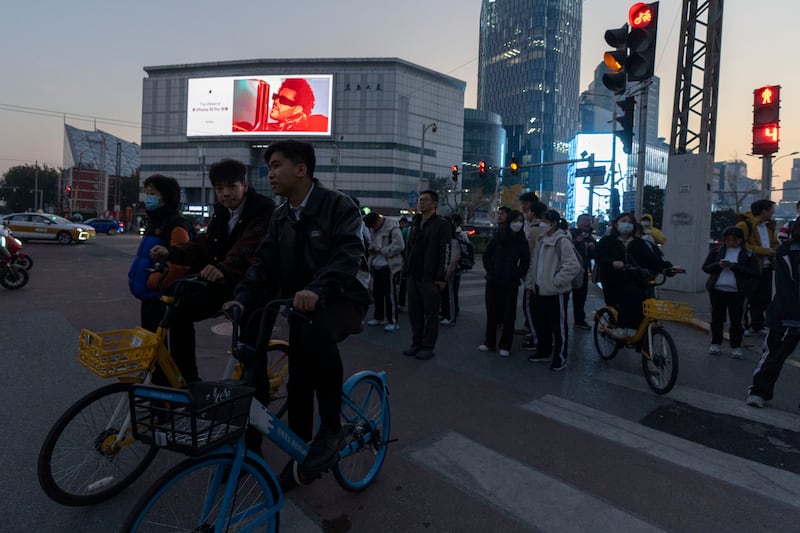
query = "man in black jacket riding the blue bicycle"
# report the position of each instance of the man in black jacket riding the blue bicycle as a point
(311, 254)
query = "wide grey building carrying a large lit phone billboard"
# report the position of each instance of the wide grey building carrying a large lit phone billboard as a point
(380, 113)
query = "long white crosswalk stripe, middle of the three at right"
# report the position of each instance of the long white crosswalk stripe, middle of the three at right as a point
(765, 480)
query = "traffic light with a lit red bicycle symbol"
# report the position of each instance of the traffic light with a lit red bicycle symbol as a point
(641, 61)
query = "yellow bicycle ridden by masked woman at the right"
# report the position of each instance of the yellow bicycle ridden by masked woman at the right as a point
(659, 355)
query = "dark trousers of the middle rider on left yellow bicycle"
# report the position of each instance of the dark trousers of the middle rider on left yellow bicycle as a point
(196, 304)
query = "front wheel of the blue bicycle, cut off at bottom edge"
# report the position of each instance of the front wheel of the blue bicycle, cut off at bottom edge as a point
(189, 497)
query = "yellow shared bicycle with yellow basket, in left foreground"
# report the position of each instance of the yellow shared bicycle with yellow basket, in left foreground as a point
(90, 453)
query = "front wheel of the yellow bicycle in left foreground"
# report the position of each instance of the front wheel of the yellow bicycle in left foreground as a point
(84, 459)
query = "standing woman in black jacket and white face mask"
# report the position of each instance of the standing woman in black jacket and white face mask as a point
(506, 262)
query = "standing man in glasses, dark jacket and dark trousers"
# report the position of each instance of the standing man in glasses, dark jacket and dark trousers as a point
(427, 258)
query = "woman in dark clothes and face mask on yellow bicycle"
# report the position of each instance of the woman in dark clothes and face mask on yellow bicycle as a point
(624, 288)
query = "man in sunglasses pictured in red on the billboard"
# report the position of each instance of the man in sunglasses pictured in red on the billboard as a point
(292, 108)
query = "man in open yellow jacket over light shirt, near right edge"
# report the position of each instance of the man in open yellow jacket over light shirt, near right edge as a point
(758, 227)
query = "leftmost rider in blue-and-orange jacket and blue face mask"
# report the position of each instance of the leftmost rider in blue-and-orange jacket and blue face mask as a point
(166, 227)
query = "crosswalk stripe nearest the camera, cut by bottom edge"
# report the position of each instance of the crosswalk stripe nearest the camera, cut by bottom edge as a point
(486, 474)
